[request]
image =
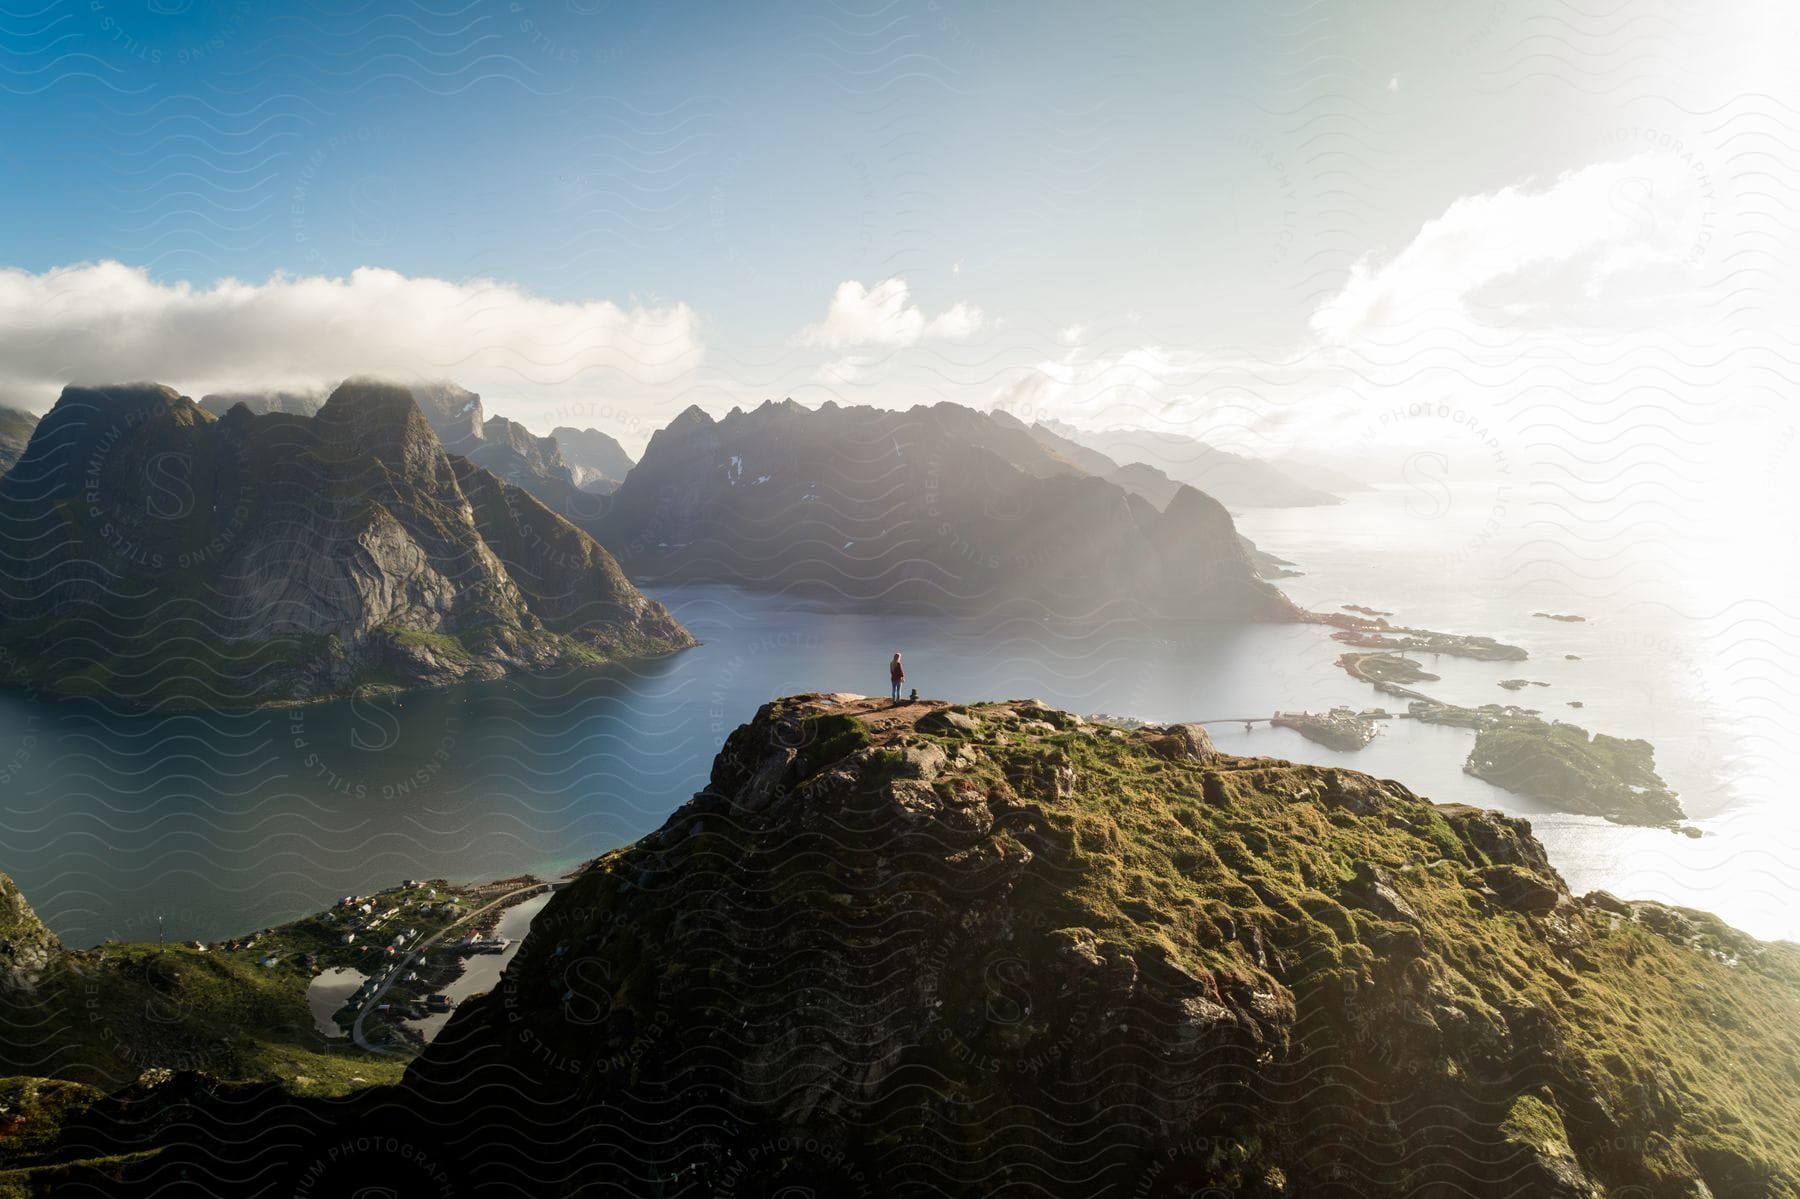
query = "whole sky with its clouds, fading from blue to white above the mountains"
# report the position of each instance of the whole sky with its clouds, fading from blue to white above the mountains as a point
(1110, 212)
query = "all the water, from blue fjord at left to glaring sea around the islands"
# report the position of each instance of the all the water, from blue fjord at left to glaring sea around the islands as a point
(222, 824)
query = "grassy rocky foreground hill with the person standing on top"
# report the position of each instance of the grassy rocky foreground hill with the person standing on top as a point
(1002, 951)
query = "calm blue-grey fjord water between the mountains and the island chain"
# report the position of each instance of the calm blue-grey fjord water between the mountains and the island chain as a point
(237, 822)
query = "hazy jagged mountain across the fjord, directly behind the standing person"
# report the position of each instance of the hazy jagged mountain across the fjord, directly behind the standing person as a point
(939, 509)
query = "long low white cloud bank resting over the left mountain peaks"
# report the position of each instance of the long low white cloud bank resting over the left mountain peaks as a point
(111, 323)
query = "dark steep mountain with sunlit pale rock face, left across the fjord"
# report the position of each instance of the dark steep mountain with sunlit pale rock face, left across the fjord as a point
(256, 559)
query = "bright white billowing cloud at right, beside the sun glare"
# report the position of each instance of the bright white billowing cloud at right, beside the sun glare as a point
(1516, 255)
